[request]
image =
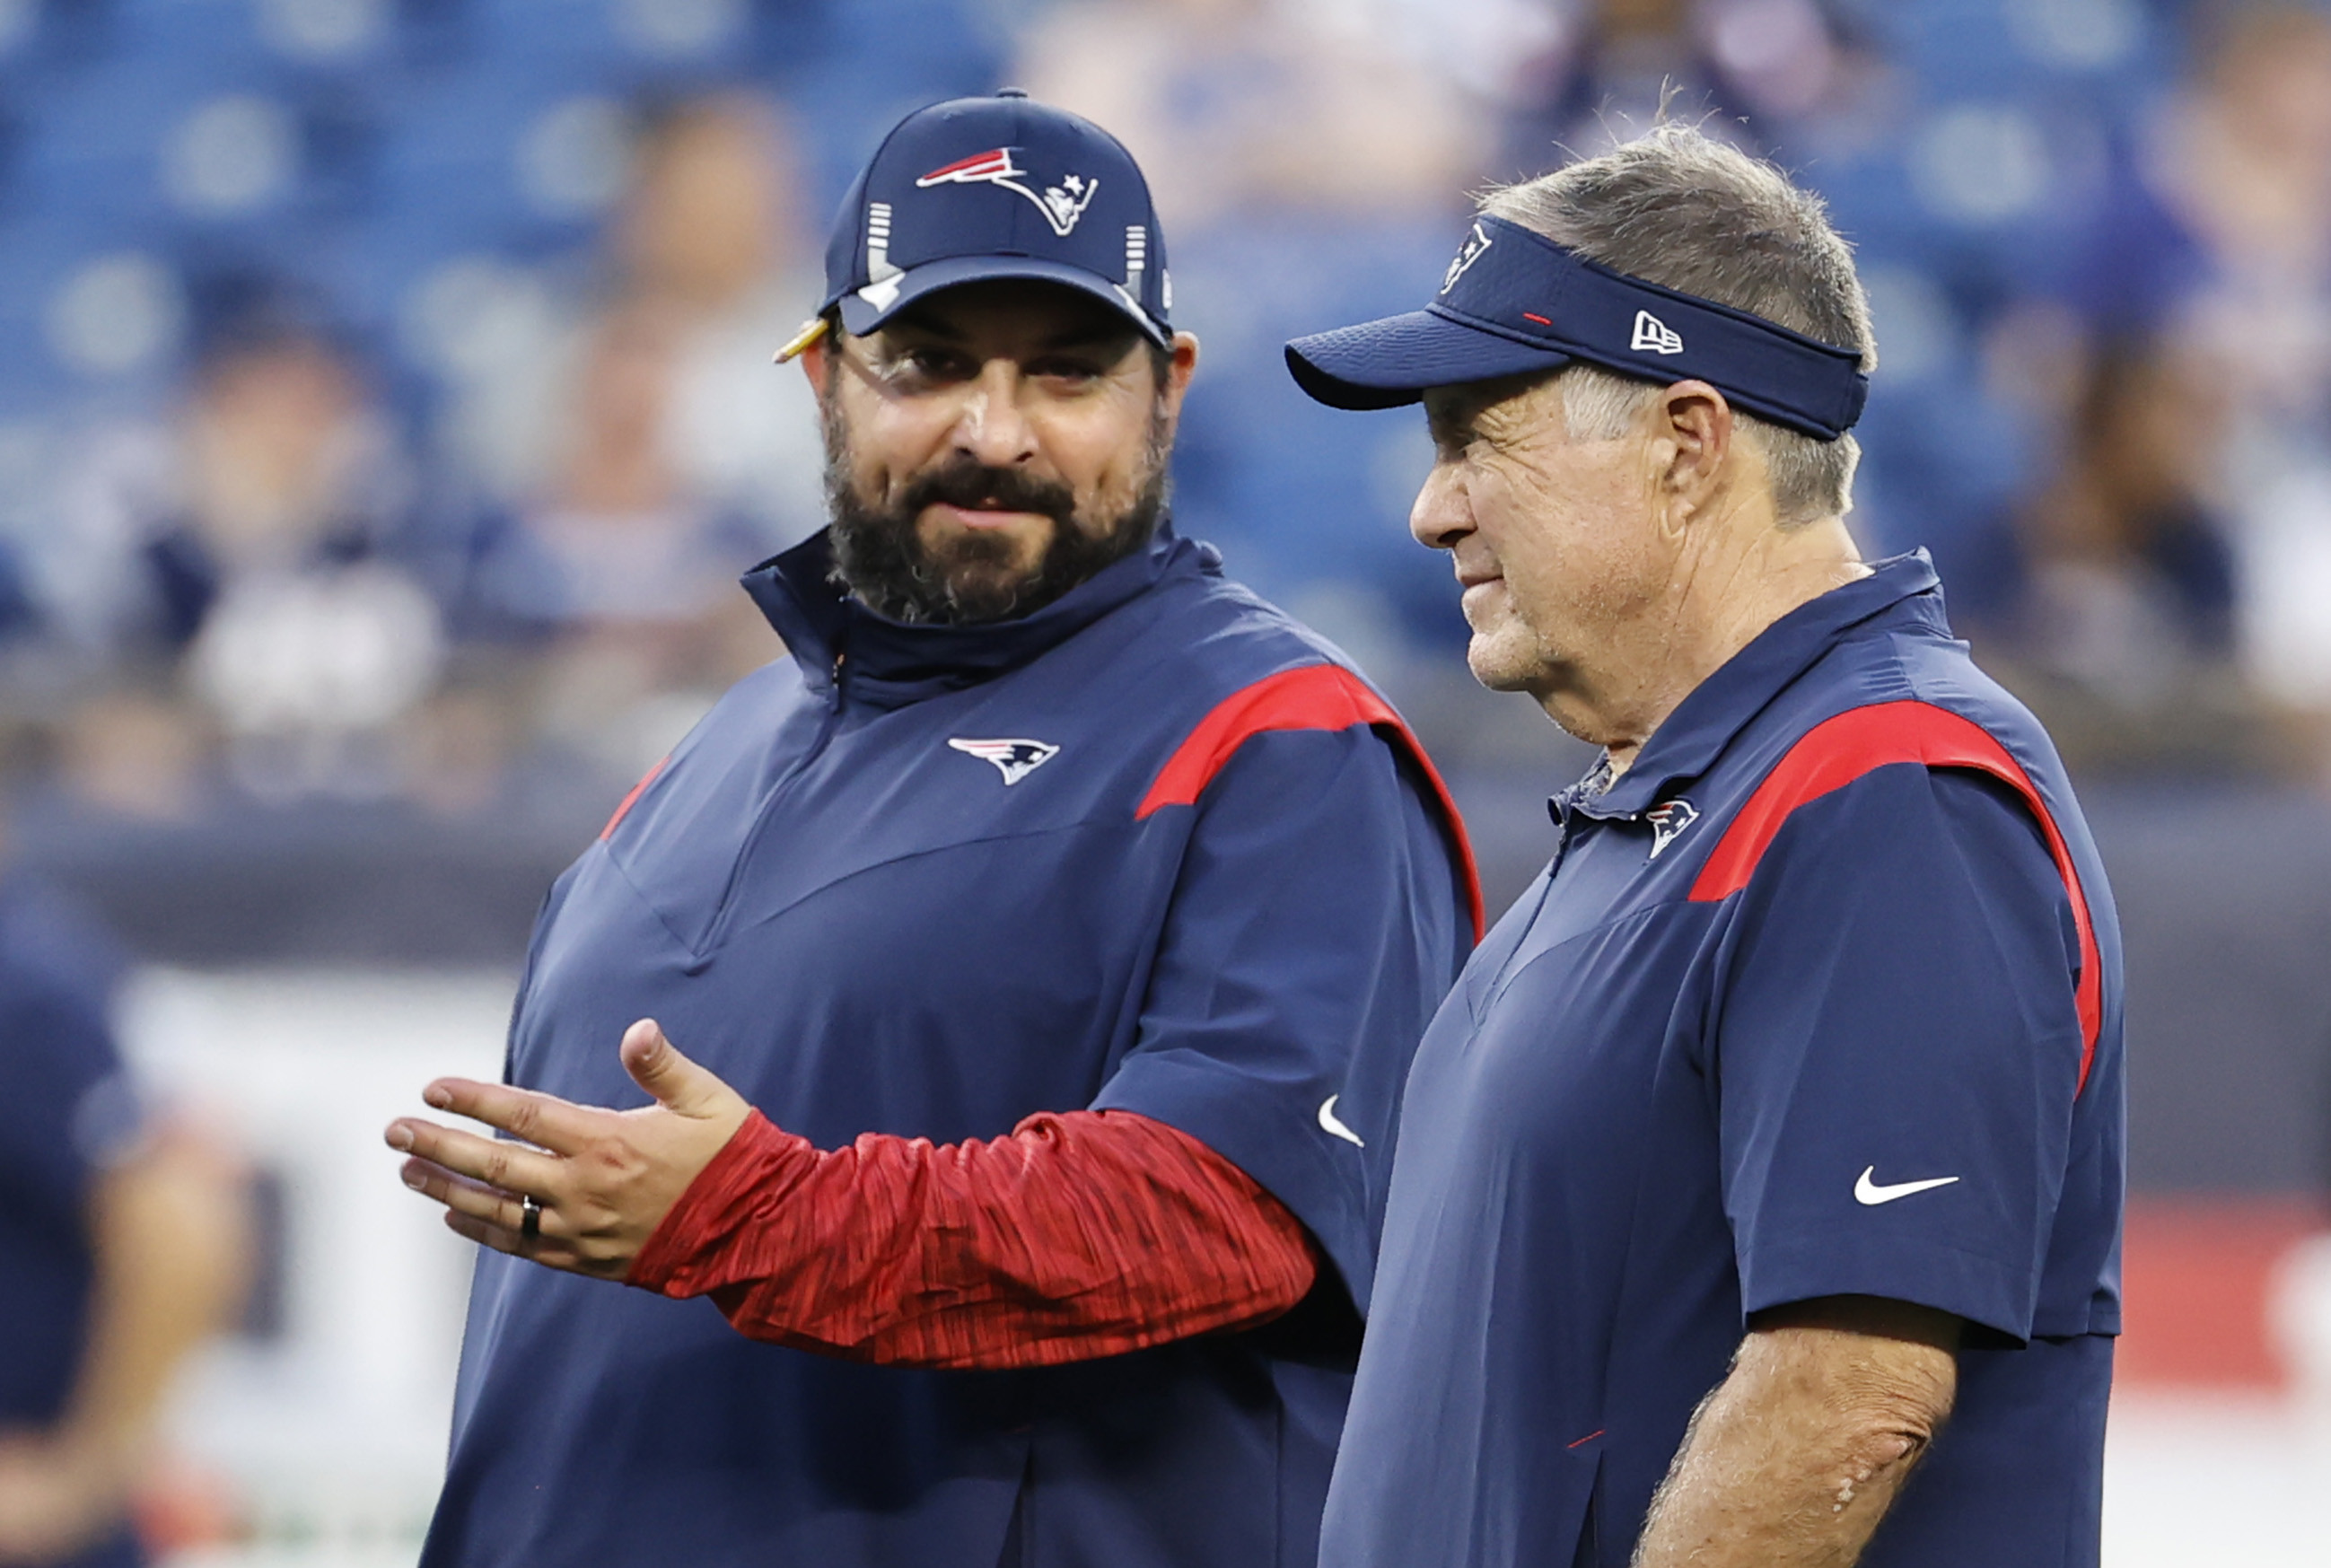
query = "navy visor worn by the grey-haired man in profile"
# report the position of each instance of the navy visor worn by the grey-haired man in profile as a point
(1514, 302)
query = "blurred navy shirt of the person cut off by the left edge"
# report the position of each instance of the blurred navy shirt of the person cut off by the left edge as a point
(66, 1115)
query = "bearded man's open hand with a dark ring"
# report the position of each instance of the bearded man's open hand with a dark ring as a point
(605, 1180)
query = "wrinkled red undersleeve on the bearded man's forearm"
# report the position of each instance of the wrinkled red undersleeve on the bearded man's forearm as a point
(1083, 1234)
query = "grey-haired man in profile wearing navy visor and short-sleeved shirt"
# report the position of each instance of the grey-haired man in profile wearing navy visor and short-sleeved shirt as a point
(1759, 1185)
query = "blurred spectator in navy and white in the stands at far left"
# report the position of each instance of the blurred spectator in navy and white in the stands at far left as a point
(244, 553)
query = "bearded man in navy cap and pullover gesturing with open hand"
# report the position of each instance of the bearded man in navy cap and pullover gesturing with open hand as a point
(1048, 933)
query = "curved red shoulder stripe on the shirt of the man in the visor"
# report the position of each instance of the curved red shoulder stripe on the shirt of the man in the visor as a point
(1836, 754)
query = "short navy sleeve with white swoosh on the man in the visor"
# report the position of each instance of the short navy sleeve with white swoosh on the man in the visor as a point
(1899, 1050)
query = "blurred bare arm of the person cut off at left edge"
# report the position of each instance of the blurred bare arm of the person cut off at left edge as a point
(171, 1264)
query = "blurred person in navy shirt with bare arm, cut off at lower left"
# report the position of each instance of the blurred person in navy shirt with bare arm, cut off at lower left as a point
(125, 1243)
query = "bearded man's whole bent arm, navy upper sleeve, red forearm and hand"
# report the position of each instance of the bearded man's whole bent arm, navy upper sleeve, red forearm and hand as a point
(1204, 1187)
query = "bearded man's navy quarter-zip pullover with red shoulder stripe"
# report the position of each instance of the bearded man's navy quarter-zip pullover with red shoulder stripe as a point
(1150, 849)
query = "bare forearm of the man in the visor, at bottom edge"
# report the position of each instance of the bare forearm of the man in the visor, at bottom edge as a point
(1805, 1446)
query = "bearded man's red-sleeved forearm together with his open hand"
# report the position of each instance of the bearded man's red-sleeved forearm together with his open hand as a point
(1078, 1236)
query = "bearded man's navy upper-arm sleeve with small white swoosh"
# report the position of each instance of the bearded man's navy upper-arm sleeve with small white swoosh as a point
(1314, 931)
